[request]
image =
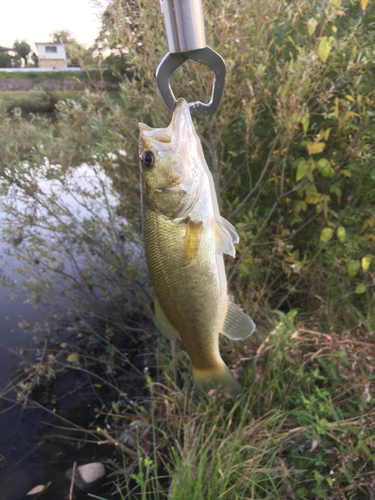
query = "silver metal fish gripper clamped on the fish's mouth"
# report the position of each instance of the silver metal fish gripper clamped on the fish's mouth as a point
(184, 28)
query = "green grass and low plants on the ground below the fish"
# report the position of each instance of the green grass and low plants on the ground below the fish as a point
(304, 428)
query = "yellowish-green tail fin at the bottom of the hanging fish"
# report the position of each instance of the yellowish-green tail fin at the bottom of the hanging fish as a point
(219, 377)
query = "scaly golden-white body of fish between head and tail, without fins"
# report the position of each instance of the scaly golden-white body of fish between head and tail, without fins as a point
(193, 297)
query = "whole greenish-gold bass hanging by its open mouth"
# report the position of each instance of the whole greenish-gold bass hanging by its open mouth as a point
(185, 238)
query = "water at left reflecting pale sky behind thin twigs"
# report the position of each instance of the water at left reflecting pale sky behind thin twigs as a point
(63, 244)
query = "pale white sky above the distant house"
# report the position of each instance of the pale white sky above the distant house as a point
(34, 20)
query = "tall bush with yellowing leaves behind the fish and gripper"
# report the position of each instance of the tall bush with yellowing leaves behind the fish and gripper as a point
(291, 147)
